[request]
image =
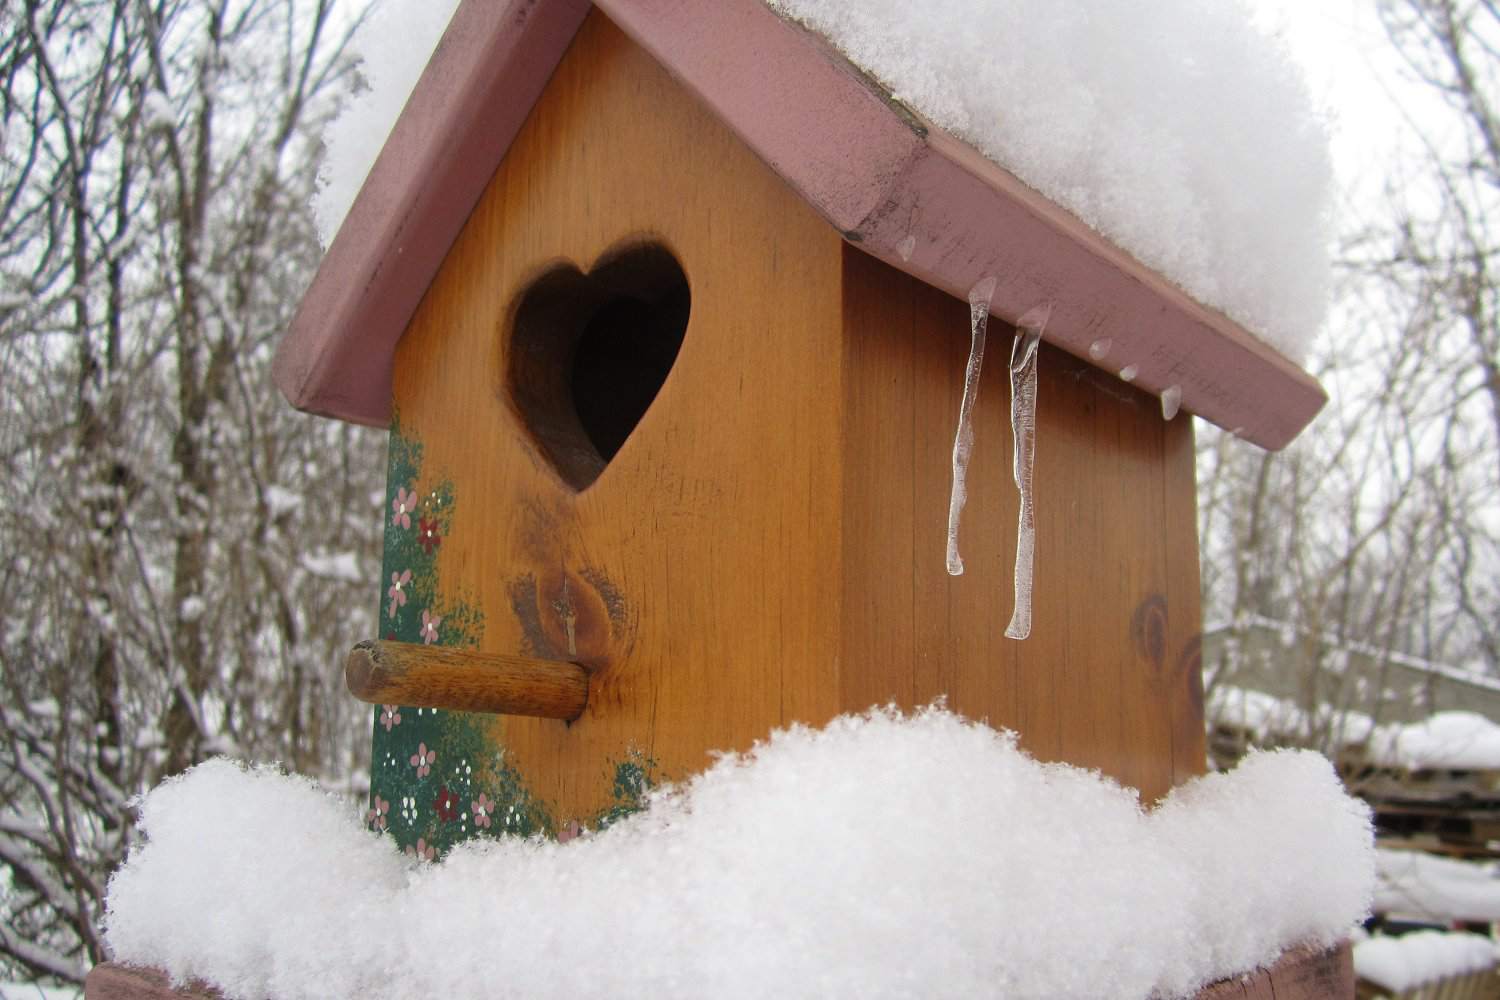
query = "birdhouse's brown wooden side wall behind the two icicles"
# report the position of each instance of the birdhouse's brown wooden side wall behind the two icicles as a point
(1117, 551)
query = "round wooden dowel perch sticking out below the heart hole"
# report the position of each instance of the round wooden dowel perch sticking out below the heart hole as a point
(466, 681)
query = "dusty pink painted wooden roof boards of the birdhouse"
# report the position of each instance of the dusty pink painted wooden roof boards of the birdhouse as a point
(908, 194)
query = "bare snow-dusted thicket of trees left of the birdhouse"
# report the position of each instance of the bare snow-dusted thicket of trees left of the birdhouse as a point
(181, 555)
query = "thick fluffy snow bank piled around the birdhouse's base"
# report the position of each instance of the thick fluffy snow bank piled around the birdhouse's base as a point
(880, 857)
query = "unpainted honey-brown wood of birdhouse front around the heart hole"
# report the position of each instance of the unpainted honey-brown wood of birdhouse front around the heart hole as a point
(712, 540)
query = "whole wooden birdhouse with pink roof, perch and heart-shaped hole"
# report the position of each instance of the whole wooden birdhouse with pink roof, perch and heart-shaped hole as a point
(668, 311)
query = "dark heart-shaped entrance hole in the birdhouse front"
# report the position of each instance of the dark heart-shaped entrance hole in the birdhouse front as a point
(589, 353)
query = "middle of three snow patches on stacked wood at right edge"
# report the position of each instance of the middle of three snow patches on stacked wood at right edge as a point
(1439, 890)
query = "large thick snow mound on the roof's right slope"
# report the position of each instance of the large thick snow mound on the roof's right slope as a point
(1174, 128)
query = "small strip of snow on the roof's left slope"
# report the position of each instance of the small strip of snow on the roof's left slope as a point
(394, 47)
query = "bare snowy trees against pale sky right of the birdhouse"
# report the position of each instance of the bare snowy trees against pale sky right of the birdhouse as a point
(1382, 525)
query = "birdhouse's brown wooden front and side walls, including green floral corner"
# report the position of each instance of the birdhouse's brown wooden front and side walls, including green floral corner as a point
(766, 546)
